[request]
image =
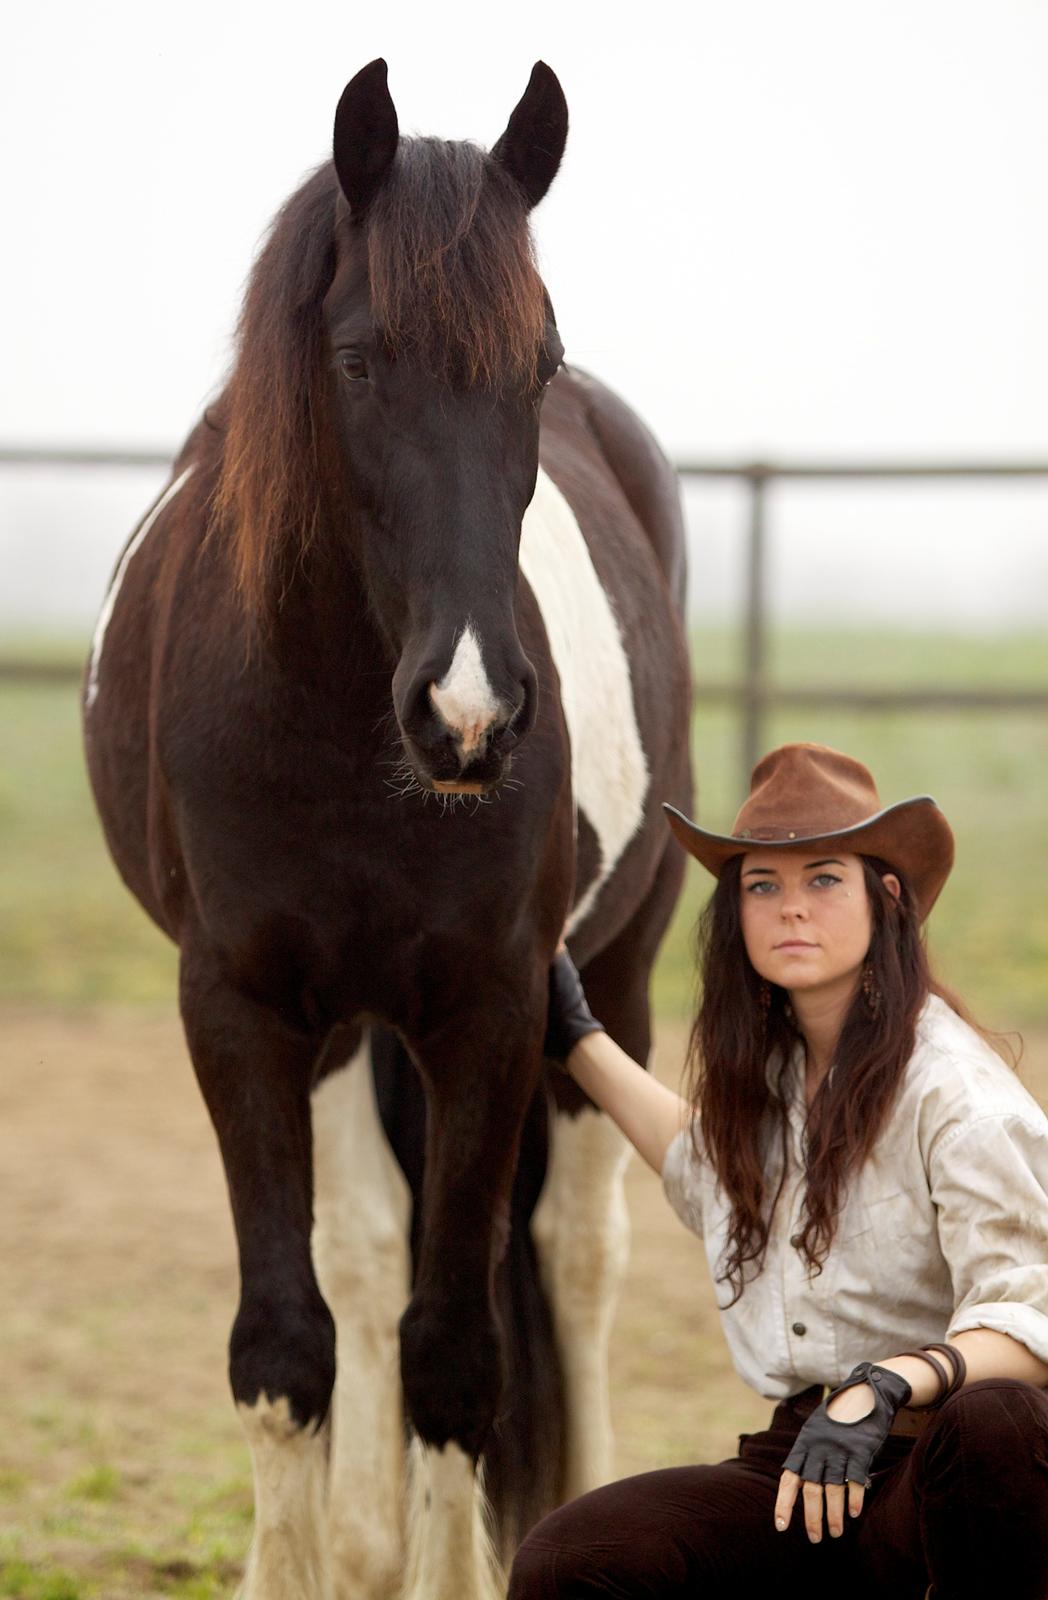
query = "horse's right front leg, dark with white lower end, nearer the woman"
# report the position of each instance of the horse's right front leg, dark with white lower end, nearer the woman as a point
(479, 1079)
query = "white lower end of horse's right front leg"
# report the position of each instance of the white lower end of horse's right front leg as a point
(450, 1550)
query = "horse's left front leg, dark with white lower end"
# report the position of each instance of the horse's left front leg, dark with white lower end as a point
(255, 1074)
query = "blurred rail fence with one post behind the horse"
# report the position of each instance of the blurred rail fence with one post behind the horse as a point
(753, 692)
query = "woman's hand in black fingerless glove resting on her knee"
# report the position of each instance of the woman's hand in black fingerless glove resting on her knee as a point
(838, 1446)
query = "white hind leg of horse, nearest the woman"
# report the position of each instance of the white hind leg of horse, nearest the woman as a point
(582, 1234)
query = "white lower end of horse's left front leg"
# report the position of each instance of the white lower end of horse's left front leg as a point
(289, 1551)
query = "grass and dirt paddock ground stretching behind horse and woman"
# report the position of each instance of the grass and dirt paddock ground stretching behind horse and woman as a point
(122, 1470)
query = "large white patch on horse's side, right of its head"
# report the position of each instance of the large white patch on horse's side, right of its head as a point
(609, 764)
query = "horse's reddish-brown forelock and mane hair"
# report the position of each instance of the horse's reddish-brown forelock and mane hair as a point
(454, 286)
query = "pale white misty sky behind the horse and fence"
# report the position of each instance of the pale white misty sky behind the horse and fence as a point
(807, 231)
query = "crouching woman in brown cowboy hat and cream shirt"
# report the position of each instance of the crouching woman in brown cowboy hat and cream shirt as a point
(871, 1183)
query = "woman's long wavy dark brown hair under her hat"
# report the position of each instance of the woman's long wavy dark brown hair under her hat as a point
(742, 1046)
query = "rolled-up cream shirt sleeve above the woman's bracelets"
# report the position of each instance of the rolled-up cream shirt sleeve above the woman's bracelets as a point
(990, 1183)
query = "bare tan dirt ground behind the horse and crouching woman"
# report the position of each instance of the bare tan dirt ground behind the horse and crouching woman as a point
(121, 1460)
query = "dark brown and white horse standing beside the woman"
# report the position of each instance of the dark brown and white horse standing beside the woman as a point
(385, 694)
